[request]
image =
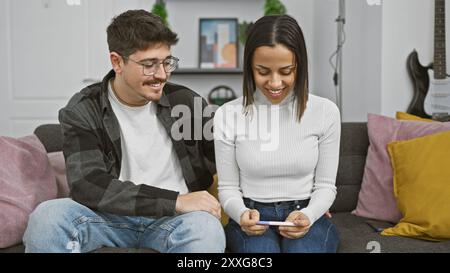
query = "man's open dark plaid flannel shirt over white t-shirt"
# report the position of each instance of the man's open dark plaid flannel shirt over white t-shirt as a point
(92, 149)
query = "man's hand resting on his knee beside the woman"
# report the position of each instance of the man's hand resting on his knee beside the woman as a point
(196, 201)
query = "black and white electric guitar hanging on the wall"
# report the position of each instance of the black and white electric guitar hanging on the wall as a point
(431, 83)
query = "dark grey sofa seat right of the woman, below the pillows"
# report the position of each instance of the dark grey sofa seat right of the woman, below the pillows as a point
(358, 237)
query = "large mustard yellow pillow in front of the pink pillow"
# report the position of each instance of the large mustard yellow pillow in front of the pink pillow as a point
(421, 168)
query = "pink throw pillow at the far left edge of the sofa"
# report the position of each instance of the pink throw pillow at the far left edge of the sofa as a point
(26, 180)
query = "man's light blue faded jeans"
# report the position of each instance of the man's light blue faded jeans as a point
(63, 225)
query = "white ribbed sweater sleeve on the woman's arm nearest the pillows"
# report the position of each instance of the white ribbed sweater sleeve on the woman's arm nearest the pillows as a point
(324, 188)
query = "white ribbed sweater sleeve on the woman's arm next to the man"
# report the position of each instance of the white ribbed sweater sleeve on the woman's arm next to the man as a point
(230, 193)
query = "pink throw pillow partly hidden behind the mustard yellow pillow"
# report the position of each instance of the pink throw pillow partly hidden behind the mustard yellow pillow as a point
(376, 199)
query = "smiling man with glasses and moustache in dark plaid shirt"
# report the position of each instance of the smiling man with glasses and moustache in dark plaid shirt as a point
(133, 184)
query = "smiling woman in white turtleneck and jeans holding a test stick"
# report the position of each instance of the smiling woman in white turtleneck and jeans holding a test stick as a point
(277, 148)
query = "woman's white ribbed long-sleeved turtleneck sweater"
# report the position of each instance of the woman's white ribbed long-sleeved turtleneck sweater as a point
(269, 156)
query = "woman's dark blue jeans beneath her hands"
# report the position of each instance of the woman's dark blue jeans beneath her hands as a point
(322, 237)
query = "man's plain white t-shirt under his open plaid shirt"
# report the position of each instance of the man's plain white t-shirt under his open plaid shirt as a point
(148, 156)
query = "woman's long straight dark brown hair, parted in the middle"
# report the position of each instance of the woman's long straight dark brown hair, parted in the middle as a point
(270, 31)
